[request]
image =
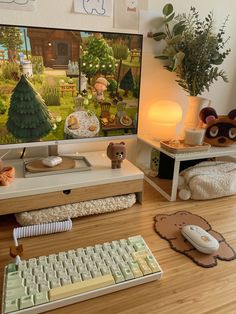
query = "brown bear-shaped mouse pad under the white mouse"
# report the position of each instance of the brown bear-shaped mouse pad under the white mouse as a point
(169, 228)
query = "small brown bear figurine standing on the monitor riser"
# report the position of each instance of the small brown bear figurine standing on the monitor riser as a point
(117, 153)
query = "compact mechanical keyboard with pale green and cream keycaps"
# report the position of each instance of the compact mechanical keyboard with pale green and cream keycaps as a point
(48, 282)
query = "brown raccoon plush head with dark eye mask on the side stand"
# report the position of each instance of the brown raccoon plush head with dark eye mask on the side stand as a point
(220, 130)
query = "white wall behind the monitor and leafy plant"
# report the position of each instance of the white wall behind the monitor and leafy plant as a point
(157, 83)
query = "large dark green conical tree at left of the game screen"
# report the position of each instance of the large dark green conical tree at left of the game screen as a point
(28, 115)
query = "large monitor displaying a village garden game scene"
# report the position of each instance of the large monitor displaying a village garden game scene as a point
(60, 85)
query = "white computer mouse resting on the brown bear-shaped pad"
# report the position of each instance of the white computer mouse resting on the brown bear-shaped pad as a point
(200, 239)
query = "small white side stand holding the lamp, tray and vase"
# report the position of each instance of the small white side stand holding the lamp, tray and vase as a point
(168, 188)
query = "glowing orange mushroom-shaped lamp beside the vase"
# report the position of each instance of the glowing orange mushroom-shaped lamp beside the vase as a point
(165, 115)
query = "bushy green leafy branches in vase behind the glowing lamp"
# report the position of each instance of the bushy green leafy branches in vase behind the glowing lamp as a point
(193, 50)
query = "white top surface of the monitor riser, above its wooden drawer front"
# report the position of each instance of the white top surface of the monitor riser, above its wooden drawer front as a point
(101, 173)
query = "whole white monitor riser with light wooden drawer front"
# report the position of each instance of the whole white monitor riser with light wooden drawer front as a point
(39, 192)
